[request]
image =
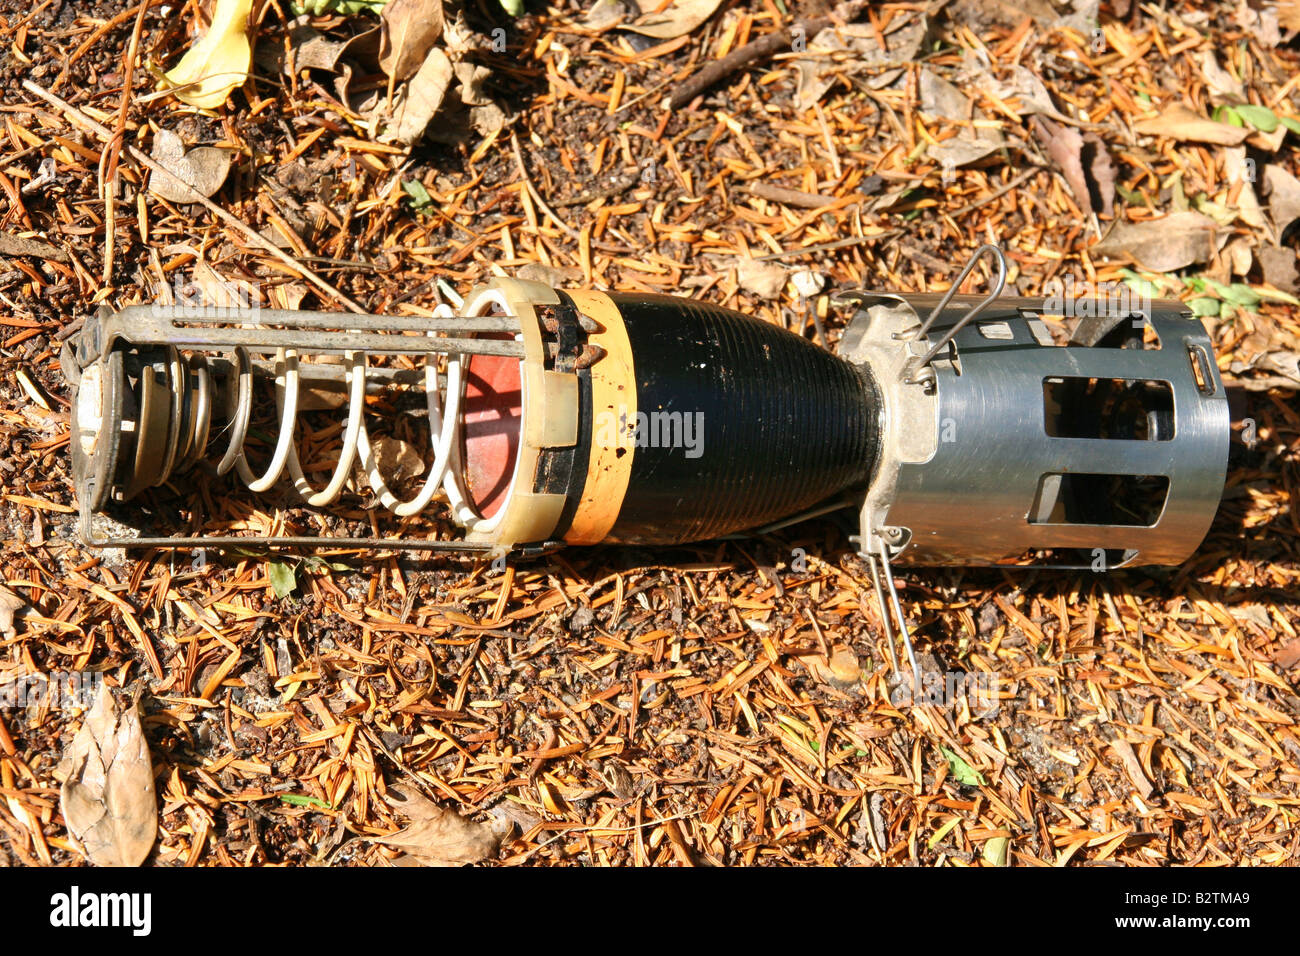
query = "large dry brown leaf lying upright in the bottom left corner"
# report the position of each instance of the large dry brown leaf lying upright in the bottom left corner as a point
(107, 795)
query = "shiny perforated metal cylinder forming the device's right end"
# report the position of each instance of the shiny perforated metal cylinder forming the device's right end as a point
(1103, 452)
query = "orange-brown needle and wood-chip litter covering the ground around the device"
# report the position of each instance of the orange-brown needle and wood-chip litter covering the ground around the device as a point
(723, 704)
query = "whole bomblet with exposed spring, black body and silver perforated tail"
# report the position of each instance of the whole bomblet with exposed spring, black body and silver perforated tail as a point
(959, 429)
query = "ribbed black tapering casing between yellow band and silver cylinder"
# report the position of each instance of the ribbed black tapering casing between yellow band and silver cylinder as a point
(786, 423)
